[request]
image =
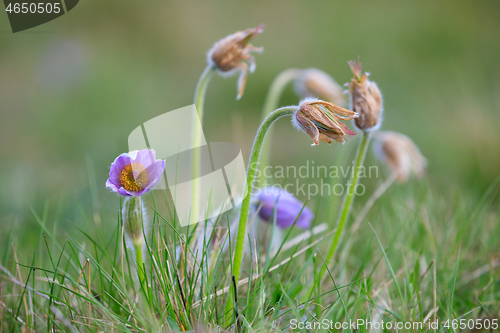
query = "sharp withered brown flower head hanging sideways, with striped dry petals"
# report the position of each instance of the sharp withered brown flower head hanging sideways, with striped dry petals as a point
(321, 120)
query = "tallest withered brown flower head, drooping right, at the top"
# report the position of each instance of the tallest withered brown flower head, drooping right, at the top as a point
(230, 53)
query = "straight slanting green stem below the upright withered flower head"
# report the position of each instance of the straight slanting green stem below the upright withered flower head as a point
(350, 195)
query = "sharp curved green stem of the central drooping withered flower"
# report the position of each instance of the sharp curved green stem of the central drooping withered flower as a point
(252, 169)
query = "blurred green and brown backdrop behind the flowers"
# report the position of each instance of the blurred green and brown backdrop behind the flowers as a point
(72, 89)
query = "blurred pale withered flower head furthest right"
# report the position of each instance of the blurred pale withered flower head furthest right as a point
(400, 154)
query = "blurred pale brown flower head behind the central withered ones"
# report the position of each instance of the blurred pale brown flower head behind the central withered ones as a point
(313, 82)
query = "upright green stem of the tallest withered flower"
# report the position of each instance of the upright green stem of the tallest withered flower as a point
(199, 99)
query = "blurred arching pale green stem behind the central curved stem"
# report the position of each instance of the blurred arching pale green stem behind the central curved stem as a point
(271, 103)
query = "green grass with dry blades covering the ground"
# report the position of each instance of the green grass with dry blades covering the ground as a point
(415, 257)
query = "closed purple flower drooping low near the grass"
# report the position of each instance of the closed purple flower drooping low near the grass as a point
(288, 208)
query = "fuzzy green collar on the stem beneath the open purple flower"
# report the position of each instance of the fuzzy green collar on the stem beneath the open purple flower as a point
(133, 215)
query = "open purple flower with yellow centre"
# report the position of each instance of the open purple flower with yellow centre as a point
(135, 173)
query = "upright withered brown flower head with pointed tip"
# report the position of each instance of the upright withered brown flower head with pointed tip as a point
(366, 99)
